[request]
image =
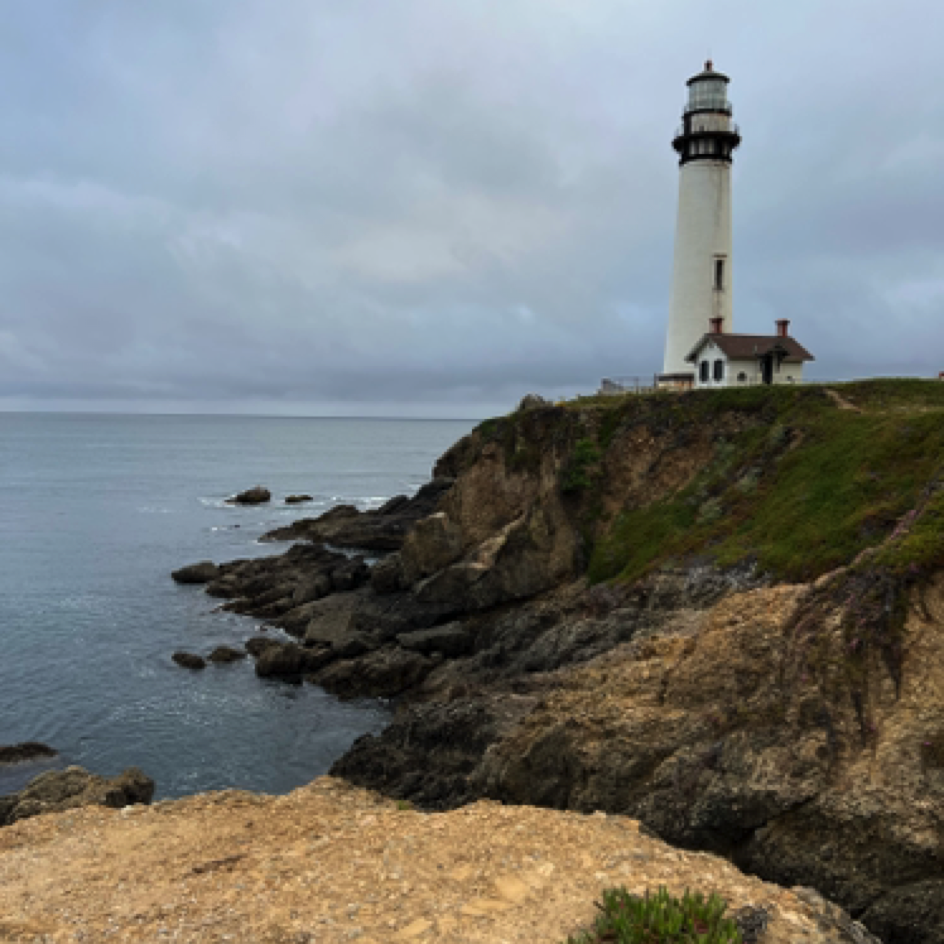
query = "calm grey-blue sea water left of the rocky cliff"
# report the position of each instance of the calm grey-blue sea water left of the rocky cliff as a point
(95, 511)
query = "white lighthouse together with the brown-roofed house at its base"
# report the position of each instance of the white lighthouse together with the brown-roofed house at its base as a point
(701, 349)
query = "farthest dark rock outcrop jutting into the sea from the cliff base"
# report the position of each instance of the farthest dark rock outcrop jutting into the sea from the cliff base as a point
(380, 530)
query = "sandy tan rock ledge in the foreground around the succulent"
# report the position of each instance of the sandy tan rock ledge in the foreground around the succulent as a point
(332, 863)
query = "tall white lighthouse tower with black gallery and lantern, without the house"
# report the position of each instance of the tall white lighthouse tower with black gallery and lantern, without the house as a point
(701, 278)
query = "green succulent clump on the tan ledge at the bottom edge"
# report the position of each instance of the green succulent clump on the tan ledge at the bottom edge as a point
(660, 919)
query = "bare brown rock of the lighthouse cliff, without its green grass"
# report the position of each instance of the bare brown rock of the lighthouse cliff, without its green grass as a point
(718, 706)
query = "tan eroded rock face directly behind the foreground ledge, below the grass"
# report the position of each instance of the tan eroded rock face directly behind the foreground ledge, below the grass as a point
(728, 739)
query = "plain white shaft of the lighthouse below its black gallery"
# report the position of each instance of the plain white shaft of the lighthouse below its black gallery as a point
(703, 233)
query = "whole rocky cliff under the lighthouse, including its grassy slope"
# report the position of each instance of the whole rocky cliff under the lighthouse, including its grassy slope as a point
(719, 613)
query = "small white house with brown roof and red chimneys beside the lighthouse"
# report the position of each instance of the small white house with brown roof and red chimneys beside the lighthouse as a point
(739, 360)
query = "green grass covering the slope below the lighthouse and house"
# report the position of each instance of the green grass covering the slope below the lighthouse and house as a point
(803, 488)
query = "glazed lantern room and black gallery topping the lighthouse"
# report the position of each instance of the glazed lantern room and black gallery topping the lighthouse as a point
(707, 132)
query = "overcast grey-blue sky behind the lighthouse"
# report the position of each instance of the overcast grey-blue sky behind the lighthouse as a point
(431, 207)
